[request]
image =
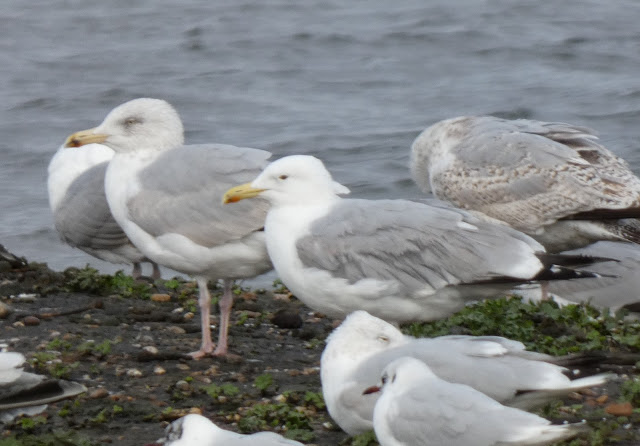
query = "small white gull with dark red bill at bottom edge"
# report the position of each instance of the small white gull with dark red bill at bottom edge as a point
(418, 408)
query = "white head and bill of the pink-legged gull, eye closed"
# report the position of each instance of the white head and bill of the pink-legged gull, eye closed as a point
(140, 124)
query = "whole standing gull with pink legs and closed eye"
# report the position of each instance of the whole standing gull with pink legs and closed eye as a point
(166, 198)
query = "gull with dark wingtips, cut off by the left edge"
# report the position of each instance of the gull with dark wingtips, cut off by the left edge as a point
(27, 393)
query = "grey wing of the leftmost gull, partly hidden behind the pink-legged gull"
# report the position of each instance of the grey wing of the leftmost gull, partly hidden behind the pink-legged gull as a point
(83, 218)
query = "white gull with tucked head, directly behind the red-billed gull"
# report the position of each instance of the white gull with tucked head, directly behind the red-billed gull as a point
(363, 345)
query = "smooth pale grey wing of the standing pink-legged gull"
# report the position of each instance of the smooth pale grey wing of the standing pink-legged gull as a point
(181, 192)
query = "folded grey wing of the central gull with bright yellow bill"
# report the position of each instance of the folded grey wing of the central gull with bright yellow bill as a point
(415, 244)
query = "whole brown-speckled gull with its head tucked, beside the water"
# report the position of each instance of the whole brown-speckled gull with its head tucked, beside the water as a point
(550, 180)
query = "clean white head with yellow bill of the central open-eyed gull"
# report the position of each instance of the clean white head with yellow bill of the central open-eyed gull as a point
(292, 180)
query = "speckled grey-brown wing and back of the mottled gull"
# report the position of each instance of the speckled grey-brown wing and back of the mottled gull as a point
(531, 173)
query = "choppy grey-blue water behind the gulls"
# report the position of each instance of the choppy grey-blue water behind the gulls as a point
(352, 82)
